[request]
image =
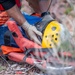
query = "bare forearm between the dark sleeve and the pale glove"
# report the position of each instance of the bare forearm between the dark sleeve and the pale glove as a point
(15, 13)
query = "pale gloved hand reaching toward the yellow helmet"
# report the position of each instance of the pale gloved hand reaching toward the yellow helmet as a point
(32, 32)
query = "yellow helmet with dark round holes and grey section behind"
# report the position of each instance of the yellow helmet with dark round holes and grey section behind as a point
(51, 30)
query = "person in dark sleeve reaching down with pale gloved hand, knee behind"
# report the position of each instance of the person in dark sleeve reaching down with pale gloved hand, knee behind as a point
(13, 11)
